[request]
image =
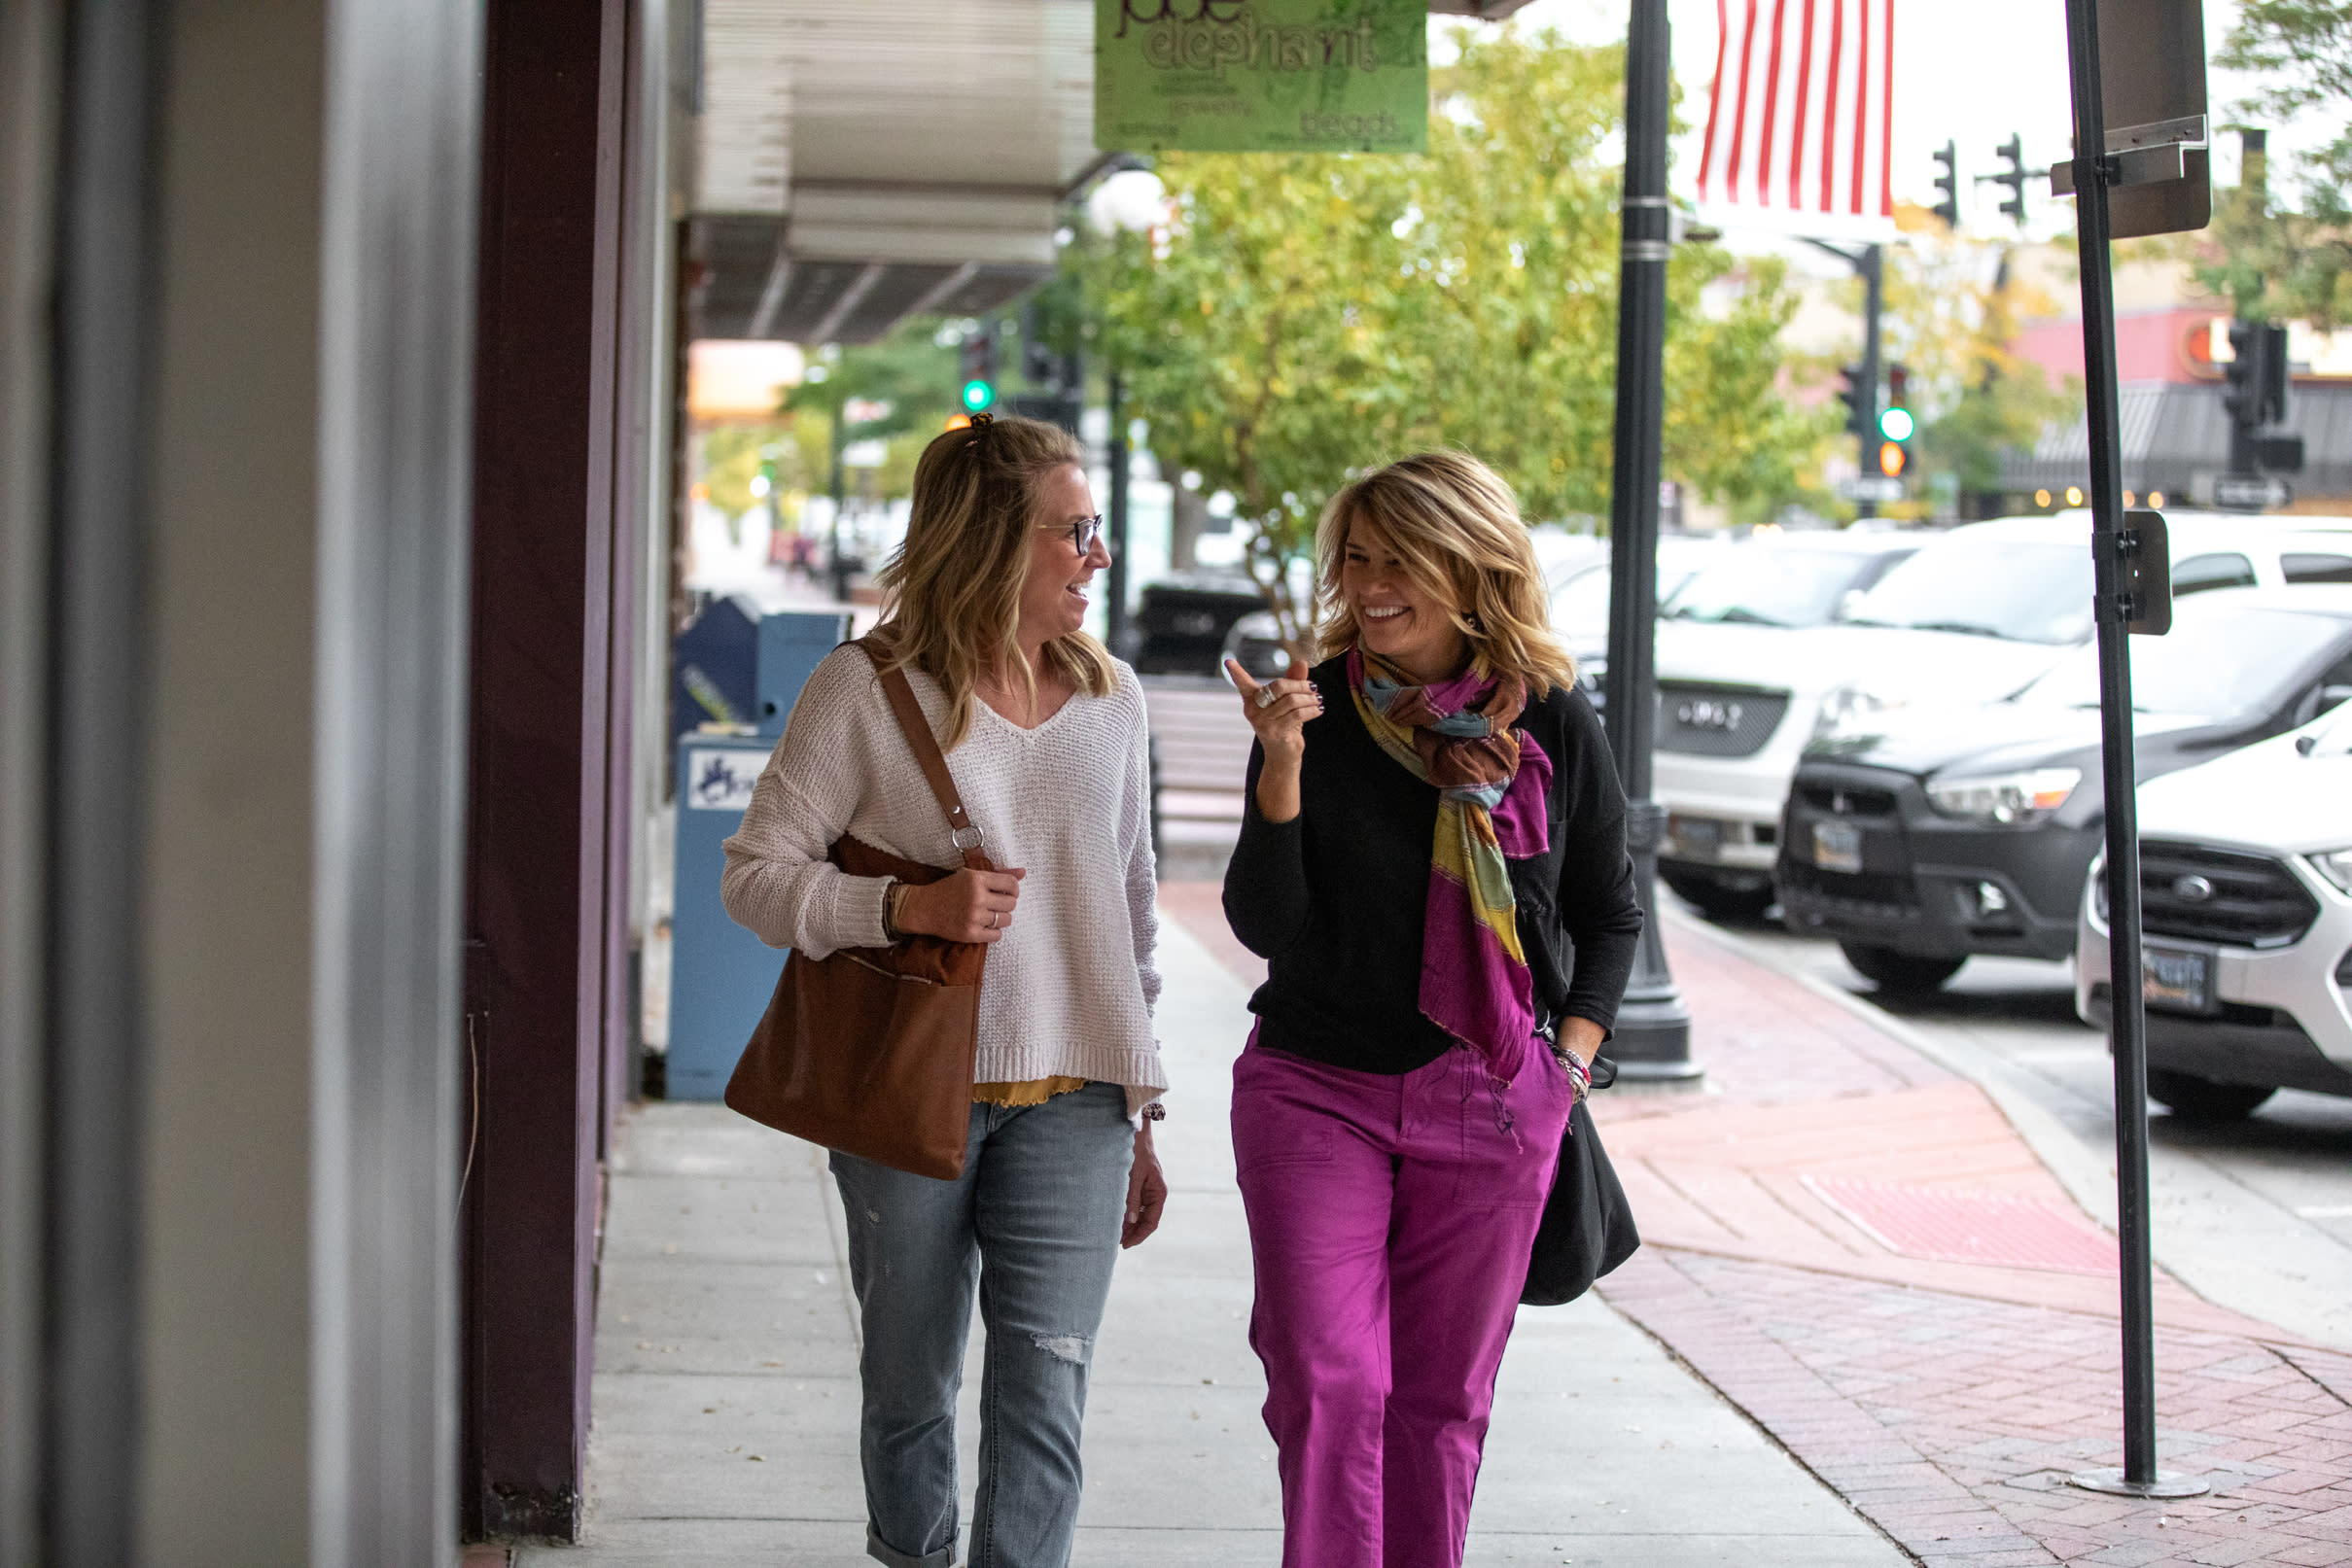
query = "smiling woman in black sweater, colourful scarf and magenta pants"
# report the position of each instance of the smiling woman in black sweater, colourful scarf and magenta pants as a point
(1431, 826)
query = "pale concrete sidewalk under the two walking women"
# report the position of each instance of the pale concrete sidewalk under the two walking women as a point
(726, 1391)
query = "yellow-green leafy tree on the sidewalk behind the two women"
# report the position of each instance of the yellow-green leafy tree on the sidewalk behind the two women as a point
(1302, 319)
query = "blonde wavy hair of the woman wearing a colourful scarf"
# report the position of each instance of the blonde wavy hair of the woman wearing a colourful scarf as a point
(1457, 528)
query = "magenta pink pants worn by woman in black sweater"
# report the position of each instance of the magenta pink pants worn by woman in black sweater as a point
(1389, 1219)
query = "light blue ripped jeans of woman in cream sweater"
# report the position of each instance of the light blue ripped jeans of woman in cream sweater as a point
(1036, 1224)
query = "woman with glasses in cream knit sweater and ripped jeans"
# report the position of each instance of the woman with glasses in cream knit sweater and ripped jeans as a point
(1045, 737)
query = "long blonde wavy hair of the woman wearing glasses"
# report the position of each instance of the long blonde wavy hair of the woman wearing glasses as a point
(951, 591)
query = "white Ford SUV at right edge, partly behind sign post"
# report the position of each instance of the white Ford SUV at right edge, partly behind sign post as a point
(2247, 925)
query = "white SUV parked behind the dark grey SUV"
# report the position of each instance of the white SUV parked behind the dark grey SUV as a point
(1970, 619)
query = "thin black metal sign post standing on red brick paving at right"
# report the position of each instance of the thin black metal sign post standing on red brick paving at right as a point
(2120, 603)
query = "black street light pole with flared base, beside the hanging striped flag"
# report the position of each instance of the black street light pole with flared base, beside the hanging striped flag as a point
(1655, 1026)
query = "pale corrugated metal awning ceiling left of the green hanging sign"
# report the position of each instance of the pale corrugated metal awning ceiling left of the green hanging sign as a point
(874, 159)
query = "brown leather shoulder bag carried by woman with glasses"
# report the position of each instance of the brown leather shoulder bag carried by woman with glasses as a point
(869, 1052)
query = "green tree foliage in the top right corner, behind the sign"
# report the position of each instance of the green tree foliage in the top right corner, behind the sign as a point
(2287, 260)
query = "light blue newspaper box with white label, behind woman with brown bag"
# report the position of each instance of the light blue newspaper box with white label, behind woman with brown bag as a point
(721, 974)
